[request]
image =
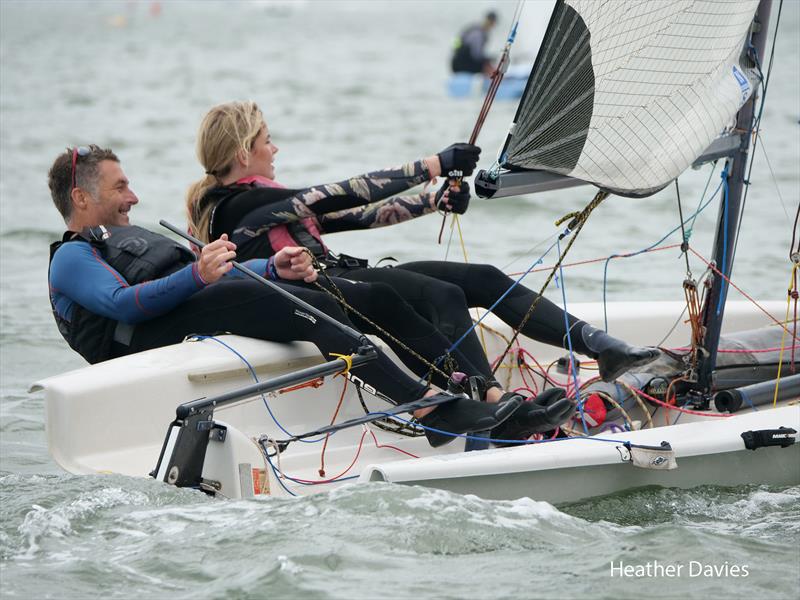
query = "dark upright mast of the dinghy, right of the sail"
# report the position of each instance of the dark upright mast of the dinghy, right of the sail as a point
(725, 240)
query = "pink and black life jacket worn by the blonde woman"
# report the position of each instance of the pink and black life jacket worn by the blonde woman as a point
(265, 242)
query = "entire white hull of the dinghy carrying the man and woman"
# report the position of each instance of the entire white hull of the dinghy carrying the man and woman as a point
(113, 418)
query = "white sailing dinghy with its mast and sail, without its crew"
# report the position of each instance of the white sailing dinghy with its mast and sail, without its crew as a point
(623, 95)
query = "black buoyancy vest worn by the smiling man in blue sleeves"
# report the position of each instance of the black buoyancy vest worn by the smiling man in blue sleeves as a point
(135, 253)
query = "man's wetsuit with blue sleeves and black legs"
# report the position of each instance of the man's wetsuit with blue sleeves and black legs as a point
(181, 305)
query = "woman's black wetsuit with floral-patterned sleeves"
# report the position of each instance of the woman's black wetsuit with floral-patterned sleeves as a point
(425, 303)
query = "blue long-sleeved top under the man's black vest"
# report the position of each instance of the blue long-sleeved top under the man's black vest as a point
(78, 274)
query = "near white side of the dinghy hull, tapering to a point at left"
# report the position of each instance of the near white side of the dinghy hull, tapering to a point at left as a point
(707, 453)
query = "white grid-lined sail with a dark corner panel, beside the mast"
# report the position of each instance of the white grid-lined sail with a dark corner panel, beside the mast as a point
(626, 94)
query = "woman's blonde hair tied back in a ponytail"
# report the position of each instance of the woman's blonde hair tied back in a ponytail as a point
(225, 130)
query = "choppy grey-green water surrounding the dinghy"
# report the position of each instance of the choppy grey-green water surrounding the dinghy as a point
(345, 87)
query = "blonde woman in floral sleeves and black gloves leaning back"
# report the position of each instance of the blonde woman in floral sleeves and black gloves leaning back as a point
(239, 196)
